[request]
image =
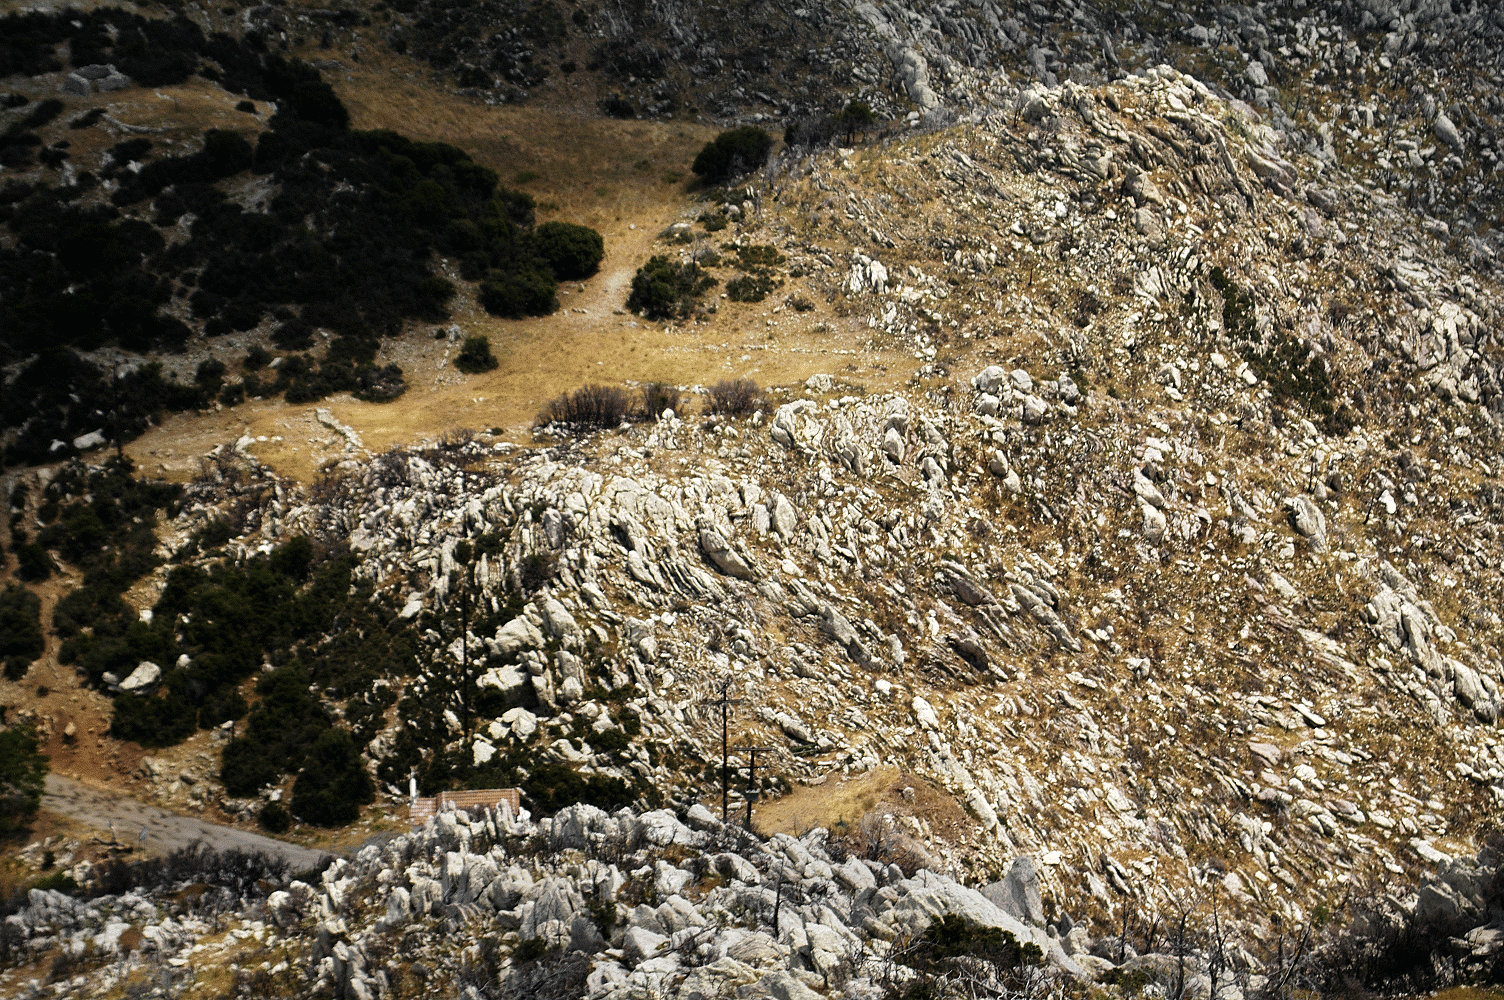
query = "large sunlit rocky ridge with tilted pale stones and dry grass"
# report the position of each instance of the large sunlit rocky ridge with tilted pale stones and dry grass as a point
(1192, 589)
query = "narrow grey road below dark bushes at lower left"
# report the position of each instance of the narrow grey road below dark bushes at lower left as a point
(165, 832)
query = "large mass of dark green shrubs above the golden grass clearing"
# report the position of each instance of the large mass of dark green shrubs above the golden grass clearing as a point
(79, 277)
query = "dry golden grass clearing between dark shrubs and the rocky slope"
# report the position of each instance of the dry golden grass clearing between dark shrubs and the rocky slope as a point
(626, 180)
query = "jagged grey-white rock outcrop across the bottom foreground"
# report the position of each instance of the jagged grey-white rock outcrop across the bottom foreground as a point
(631, 905)
